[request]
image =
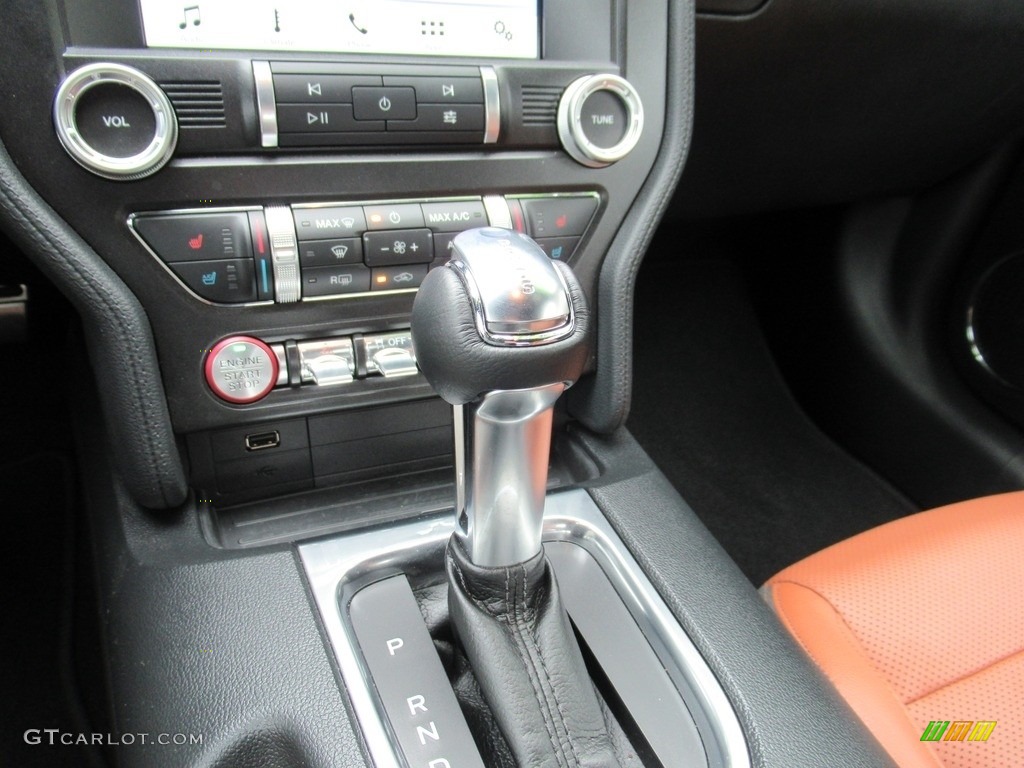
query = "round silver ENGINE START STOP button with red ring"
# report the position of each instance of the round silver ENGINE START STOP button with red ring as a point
(241, 370)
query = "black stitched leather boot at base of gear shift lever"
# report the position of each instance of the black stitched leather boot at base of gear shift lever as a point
(518, 637)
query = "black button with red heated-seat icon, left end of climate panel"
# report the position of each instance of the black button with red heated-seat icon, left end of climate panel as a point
(197, 237)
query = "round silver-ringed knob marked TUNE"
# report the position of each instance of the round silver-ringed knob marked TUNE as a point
(601, 119)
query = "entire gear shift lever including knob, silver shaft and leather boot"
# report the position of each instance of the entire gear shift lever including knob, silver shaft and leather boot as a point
(500, 332)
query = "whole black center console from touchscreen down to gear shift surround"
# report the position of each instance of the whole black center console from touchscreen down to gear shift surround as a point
(242, 200)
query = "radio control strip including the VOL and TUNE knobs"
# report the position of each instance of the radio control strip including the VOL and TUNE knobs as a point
(126, 118)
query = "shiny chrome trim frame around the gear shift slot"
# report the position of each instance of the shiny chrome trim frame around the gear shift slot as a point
(337, 568)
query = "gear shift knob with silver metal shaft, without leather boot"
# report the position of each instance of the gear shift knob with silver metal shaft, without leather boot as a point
(500, 335)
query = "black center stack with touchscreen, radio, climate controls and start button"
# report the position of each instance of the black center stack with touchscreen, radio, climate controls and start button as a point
(280, 185)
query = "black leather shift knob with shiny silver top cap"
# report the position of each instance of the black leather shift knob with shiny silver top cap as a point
(450, 327)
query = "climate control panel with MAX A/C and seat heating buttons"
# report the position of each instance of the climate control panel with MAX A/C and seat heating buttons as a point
(284, 254)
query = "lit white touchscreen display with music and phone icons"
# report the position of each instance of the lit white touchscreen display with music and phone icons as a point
(502, 29)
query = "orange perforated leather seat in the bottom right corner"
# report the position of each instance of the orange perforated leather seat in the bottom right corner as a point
(922, 620)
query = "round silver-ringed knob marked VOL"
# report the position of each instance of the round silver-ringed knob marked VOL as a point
(115, 121)
